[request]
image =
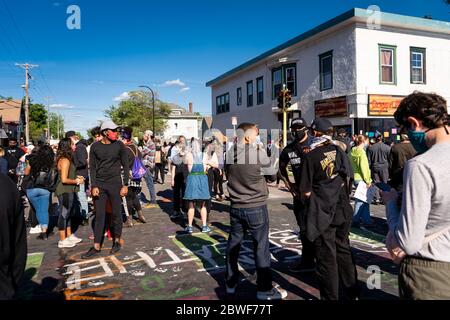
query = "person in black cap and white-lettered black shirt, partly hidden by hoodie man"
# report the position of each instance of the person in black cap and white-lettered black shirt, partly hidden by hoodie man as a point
(293, 154)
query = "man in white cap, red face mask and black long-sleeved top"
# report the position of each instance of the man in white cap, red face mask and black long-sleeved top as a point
(106, 160)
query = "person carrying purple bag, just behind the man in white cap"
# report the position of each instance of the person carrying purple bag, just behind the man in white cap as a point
(137, 170)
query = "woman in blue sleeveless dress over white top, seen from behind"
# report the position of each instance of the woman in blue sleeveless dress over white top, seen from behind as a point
(197, 190)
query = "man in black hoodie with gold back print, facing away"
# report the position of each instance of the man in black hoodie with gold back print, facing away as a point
(325, 187)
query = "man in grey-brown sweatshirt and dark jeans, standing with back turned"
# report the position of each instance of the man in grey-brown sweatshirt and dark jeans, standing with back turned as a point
(248, 193)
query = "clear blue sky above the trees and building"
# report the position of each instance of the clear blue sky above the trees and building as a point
(173, 46)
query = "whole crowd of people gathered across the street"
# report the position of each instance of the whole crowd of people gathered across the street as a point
(101, 182)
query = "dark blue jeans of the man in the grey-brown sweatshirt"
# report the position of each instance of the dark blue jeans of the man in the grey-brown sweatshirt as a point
(255, 220)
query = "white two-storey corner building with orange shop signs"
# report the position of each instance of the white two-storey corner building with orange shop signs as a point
(354, 69)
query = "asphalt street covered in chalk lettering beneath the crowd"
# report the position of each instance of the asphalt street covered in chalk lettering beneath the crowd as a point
(159, 261)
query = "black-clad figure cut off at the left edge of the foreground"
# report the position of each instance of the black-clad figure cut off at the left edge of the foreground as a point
(13, 242)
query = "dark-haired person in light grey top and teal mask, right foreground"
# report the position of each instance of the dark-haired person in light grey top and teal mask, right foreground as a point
(419, 234)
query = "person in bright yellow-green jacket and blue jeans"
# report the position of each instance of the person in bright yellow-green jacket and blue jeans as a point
(361, 169)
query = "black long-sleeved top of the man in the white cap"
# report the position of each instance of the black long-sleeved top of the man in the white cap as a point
(106, 162)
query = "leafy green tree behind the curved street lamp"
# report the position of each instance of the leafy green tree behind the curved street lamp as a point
(137, 113)
